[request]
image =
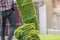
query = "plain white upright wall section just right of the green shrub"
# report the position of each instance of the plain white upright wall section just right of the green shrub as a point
(42, 20)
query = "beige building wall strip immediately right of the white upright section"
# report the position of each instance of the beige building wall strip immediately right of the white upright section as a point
(49, 10)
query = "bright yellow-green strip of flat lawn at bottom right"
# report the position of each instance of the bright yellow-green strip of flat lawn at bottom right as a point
(50, 37)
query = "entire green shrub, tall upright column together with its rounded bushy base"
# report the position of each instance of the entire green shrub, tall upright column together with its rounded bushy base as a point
(29, 29)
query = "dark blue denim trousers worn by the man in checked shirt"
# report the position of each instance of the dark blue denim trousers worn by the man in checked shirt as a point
(10, 15)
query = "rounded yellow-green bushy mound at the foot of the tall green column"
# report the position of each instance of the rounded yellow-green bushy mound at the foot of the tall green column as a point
(27, 31)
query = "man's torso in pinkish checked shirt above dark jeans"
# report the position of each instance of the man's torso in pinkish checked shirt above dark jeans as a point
(5, 4)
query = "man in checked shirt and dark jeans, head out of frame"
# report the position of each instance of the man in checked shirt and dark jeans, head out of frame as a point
(7, 11)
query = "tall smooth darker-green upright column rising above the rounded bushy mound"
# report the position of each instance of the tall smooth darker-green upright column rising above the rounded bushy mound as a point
(27, 12)
